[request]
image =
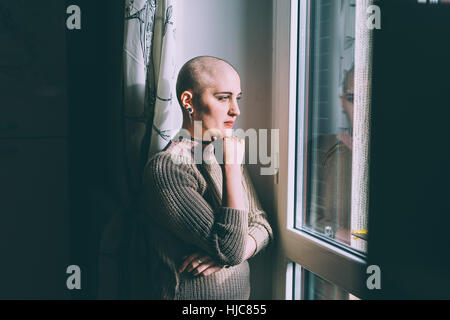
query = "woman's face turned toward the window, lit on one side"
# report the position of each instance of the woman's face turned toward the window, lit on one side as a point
(217, 106)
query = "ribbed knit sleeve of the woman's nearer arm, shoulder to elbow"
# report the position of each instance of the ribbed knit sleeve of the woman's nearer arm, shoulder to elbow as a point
(171, 196)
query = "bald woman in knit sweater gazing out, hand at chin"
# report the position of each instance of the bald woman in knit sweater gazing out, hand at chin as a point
(205, 217)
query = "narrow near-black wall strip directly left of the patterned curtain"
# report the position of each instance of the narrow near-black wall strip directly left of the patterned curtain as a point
(94, 61)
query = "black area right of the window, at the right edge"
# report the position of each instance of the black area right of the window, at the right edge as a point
(410, 154)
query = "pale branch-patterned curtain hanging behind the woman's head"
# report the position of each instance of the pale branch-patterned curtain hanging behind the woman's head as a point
(152, 115)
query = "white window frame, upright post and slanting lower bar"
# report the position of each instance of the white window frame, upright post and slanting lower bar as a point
(334, 264)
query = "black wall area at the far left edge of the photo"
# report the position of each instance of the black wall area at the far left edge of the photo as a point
(34, 204)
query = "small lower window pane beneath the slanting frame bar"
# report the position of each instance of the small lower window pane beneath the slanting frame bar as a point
(312, 287)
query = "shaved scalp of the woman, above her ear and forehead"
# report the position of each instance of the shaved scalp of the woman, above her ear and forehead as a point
(200, 73)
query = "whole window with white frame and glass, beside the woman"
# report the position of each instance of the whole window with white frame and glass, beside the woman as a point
(323, 242)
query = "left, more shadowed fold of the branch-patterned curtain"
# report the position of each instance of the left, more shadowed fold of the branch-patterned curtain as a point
(137, 86)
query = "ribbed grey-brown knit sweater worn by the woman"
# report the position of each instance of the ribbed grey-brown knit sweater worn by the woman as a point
(182, 205)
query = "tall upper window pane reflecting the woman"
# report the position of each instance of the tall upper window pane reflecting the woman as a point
(327, 130)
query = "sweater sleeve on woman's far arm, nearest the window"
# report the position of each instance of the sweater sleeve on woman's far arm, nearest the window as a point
(258, 225)
